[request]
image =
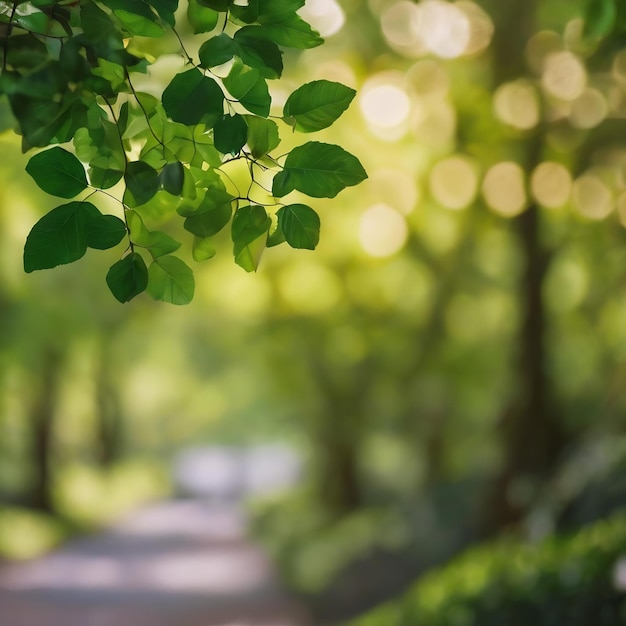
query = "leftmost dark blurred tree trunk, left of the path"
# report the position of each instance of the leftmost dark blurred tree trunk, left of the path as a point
(42, 430)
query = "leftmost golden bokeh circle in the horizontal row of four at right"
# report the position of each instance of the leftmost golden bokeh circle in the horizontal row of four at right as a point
(454, 182)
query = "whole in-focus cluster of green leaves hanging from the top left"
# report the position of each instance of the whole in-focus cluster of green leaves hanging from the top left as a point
(67, 76)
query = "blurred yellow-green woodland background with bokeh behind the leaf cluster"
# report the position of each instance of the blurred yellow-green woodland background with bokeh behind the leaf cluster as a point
(449, 364)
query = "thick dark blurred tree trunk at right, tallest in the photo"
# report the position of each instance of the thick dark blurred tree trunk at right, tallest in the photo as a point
(531, 431)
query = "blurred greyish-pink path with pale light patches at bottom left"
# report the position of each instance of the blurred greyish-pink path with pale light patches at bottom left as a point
(178, 563)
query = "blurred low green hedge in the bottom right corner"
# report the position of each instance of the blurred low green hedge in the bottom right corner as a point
(573, 580)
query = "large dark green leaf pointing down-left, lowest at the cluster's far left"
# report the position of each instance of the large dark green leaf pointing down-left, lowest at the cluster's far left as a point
(59, 237)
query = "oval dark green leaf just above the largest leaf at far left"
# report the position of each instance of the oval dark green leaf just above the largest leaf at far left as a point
(58, 172)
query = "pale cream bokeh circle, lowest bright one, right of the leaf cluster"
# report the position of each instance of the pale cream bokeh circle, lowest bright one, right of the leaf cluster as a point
(383, 231)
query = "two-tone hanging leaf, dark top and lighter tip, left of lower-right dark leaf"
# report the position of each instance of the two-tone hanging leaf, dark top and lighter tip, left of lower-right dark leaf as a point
(249, 234)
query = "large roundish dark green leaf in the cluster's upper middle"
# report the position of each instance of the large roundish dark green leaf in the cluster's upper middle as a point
(191, 98)
